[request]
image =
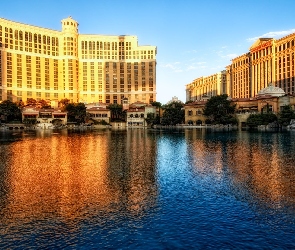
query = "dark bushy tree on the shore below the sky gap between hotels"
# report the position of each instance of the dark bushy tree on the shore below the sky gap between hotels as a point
(173, 114)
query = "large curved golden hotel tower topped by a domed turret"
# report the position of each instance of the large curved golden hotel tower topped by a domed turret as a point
(46, 64)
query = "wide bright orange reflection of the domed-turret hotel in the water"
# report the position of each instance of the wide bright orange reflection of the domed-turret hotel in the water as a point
(73, 177)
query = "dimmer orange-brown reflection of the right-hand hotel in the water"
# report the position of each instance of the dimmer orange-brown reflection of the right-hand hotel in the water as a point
(262, 166)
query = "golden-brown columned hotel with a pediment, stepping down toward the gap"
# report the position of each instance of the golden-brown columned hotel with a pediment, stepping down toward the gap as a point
(268, 61)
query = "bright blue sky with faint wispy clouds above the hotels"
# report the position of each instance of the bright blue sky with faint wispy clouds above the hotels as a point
(194, 38)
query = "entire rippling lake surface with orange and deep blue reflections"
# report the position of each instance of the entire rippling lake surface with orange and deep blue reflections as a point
(141, 189)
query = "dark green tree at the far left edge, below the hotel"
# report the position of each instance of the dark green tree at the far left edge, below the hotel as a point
(10, 111)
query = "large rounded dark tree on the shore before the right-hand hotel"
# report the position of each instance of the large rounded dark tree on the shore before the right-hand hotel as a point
(220, 110)
